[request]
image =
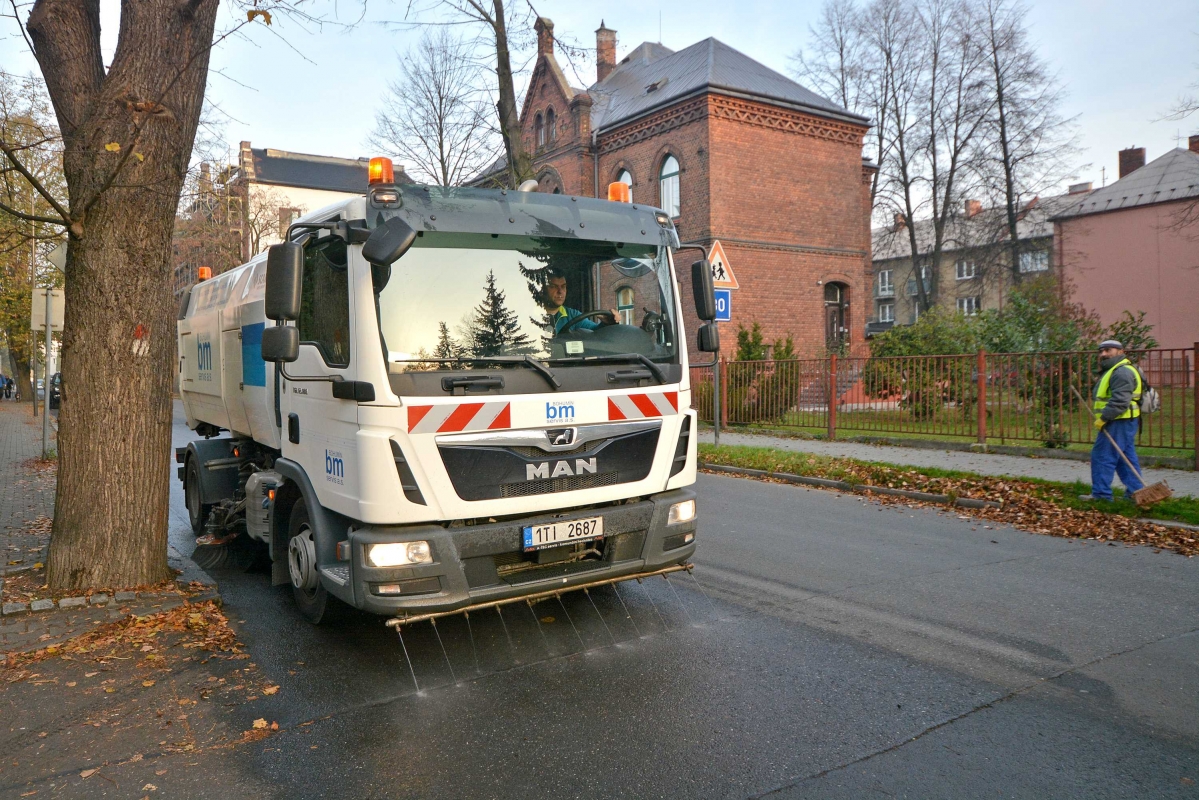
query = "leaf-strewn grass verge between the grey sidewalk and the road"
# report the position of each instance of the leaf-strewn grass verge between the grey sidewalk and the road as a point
(941, 482)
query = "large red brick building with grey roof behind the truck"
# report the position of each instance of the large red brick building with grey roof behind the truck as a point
(737, 154)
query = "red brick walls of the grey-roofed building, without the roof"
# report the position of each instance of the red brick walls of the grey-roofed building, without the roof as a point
(784, 189)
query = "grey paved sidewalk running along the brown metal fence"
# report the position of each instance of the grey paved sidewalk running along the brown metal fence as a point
(1051, 470)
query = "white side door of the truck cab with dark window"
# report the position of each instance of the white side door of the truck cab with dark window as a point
(327, 426)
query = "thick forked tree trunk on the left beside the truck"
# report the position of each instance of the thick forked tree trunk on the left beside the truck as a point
(128, 137)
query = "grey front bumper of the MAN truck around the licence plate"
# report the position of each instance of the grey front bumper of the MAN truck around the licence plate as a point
(468, 561)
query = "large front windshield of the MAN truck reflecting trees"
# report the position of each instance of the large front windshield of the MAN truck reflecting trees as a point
(481, 296)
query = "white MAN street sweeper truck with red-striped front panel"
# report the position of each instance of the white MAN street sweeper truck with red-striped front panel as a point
(431, 399)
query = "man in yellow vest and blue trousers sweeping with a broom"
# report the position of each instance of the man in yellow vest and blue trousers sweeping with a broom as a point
(1117, 408)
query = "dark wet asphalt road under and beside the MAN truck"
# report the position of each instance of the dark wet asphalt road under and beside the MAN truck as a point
(829, 648)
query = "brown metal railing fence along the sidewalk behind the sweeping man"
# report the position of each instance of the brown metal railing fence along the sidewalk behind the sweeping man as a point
(986, 398)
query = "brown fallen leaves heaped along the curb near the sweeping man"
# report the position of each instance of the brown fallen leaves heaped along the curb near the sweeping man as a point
(1035, 507)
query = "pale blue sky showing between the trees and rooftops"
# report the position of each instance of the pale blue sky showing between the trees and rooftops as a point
(1124, 64)
